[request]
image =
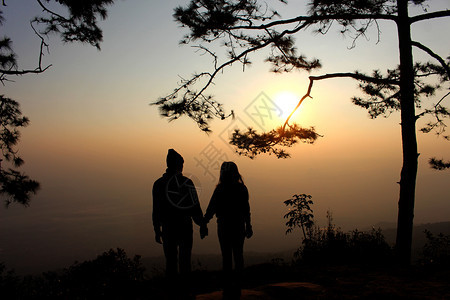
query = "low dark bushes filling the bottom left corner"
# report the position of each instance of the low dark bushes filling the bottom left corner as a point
(111, 275)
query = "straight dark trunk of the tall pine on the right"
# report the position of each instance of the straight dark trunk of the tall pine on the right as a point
(409, 141)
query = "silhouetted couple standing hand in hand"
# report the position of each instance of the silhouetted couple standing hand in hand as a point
(176, 205)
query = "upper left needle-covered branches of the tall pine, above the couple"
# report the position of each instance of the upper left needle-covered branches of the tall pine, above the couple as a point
(210, 21)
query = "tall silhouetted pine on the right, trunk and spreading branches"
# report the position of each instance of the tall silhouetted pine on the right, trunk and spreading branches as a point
(248, 26)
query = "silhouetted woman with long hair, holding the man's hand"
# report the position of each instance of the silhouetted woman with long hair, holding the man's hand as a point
(229, 203)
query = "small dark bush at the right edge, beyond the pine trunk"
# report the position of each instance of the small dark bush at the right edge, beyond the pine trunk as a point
(436, 252)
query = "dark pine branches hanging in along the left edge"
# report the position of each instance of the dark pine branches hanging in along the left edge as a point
(78, 24)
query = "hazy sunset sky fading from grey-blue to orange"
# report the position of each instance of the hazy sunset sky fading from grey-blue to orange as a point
(96, 145)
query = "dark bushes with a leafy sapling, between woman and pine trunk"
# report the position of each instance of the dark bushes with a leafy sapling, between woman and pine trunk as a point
(330, 245)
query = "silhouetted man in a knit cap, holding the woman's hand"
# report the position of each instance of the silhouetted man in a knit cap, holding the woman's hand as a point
(175, 205)
